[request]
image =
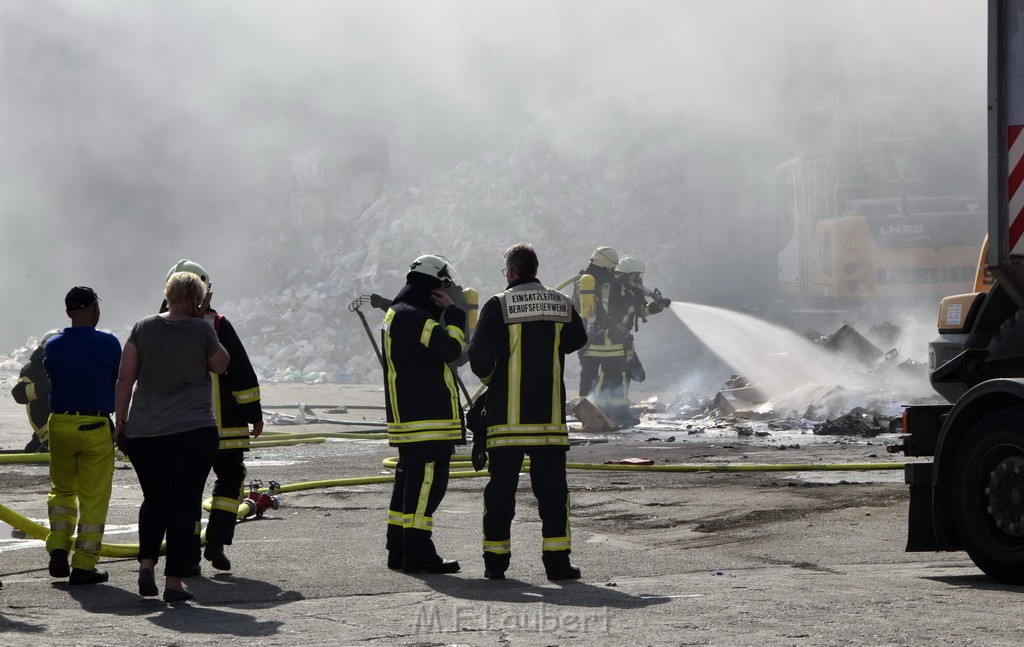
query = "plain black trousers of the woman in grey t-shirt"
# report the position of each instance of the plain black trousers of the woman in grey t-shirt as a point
(173, 471)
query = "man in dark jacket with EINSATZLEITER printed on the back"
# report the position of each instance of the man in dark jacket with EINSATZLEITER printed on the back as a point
(519, 352)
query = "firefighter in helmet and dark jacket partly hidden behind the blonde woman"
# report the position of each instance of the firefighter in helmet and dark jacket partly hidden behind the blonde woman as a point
(237, 407)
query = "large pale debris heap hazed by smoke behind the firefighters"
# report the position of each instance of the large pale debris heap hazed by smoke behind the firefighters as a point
(567, 175)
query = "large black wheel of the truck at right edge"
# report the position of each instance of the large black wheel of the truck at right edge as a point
(989, 495)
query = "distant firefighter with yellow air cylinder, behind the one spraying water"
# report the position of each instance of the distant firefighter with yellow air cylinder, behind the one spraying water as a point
(591, 297)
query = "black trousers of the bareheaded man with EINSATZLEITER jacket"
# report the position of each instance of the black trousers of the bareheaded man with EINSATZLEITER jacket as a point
(547, 477)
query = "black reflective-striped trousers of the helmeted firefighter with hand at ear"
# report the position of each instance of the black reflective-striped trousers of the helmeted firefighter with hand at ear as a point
(420, 483)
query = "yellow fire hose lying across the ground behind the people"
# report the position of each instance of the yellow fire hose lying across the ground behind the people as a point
(459, 463)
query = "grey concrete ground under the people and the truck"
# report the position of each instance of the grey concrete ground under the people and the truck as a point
(752, 558)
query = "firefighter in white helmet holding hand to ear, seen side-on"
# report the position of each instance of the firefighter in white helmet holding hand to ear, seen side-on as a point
(424, 415)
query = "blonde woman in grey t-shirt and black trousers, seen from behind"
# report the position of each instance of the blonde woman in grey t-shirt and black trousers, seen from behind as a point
(170, 434)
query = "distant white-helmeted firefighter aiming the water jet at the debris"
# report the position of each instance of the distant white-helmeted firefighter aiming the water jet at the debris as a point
(629, 307)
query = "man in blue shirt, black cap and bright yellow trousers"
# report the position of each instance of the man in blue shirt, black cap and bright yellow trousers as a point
(82, 365)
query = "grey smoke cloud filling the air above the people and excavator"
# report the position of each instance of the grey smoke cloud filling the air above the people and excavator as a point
(258, 138)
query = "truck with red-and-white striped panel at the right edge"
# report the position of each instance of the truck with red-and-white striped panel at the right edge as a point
(967, 480)
